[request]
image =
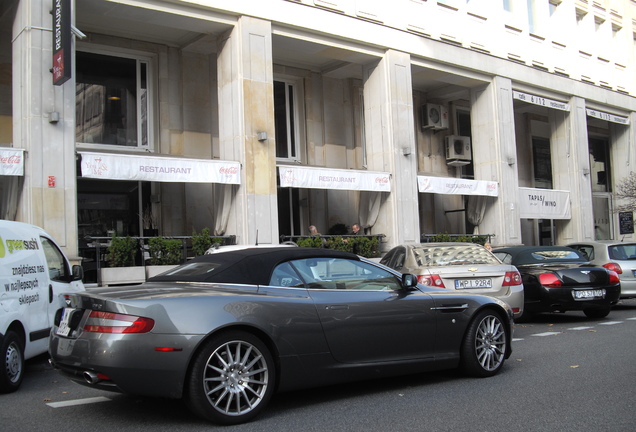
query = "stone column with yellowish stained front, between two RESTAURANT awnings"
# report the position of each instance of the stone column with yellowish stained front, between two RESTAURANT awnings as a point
(246, 107)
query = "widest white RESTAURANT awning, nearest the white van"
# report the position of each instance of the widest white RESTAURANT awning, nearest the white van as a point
(158, 168)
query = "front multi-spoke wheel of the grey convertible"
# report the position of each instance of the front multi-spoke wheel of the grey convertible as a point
(483, 350)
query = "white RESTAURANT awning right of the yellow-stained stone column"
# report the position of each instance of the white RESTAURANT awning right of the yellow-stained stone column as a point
(327, 178)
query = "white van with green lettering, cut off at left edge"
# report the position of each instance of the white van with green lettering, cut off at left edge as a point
(33, 274)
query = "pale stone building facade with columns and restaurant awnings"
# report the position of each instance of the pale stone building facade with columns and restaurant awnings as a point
(258, 118)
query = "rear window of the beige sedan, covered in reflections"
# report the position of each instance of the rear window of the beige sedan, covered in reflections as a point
(435, 256)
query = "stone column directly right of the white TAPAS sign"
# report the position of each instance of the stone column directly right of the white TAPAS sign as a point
(571, 170)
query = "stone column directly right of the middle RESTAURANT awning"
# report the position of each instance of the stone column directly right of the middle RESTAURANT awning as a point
(390, 141)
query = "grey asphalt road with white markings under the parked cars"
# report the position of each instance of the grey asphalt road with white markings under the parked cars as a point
(567, 373)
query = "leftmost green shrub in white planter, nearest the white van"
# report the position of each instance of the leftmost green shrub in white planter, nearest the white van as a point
(121, 260)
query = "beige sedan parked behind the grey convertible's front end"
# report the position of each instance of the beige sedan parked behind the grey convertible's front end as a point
(465, 267)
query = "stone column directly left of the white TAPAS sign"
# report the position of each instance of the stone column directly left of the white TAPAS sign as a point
(495, 158)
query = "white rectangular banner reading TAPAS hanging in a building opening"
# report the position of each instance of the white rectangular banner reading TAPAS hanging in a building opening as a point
(544, 204)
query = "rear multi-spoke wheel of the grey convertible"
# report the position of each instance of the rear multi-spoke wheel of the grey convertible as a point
(232, 378)
